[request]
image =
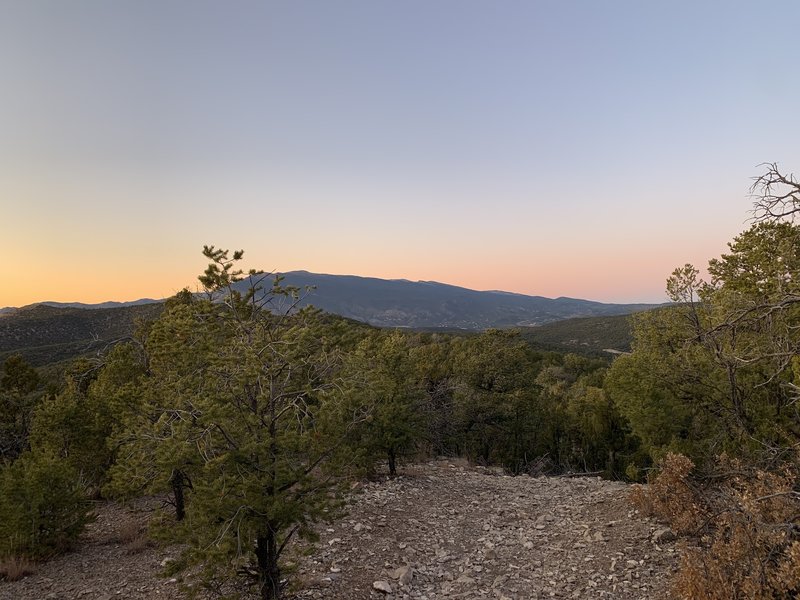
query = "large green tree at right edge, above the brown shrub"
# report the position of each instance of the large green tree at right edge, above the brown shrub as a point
(715, 372)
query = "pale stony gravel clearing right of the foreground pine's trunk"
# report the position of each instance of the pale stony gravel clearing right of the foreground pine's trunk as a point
(454, 532)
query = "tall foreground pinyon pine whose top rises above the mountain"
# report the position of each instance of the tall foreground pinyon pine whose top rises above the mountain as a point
(241, 410)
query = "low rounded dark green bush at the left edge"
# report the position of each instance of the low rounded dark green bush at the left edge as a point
(43, 507)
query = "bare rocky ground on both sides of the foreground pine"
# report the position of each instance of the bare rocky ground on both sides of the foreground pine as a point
(442, 530)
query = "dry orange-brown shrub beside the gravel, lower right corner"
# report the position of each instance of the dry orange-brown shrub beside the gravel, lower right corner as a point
(749, 523)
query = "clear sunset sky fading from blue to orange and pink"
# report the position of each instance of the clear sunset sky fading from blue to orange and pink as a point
(555, 148)
